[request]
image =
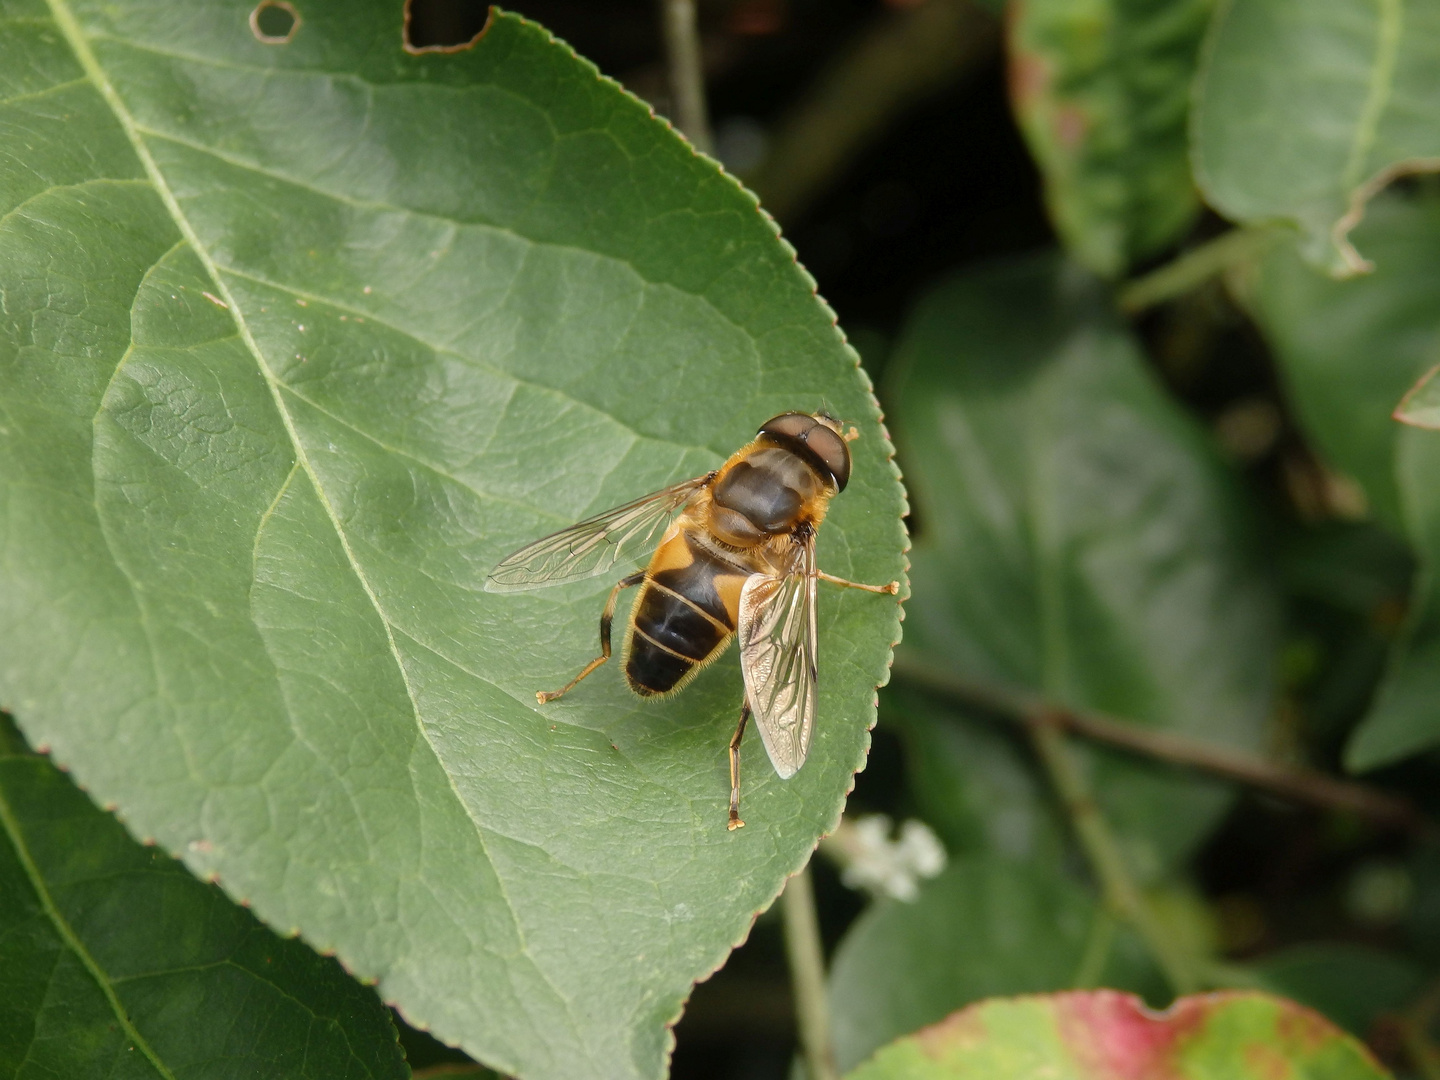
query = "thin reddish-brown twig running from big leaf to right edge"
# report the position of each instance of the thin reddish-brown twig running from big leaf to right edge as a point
(1292, 783)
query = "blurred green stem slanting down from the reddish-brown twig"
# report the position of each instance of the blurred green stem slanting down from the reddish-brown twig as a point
(1104, 853)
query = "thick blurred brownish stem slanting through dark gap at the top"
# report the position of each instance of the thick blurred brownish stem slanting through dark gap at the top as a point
(898, 60)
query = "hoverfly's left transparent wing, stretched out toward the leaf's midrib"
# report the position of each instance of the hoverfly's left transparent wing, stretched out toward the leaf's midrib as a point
(593, 546)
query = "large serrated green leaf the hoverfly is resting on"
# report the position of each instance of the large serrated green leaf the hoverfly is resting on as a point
(297, 342)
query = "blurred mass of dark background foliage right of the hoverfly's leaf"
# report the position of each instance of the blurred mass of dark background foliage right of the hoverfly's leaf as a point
(1107, 263)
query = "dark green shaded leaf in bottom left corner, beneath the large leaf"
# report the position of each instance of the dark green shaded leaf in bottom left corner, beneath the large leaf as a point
(117, 963)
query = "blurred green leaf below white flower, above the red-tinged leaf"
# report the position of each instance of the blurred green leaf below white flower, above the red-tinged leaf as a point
(984, 928)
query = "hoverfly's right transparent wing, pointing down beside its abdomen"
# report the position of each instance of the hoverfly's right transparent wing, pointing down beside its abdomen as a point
(778, 659)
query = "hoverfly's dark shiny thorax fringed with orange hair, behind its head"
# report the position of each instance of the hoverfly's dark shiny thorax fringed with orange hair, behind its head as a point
(762, 496)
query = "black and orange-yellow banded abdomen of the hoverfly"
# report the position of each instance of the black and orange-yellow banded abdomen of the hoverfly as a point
(682, 617)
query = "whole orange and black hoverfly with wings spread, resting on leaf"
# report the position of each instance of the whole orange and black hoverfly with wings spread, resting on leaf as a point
(739, 561)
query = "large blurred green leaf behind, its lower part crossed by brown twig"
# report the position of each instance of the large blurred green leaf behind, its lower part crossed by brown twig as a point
(1078, 535)
